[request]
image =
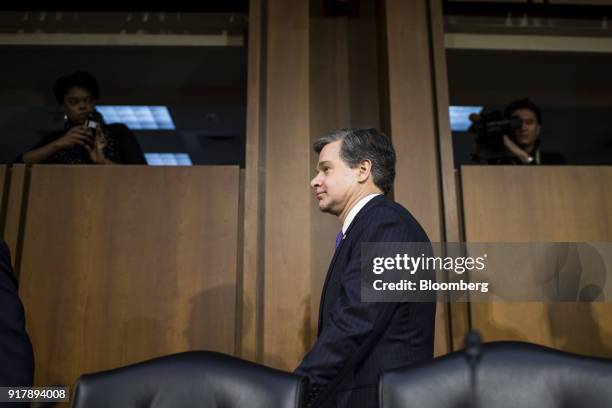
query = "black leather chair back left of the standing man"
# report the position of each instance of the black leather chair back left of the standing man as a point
(192, 379)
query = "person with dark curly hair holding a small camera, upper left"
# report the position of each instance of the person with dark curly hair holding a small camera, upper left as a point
(85, 138)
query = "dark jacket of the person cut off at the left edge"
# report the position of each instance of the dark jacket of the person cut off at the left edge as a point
(16, 356)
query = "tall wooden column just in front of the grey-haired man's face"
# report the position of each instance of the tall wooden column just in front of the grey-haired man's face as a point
(277, 211)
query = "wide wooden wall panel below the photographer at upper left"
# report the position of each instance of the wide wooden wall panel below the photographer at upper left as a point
(122, 264)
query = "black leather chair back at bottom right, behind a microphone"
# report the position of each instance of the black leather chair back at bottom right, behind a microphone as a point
(508, 374)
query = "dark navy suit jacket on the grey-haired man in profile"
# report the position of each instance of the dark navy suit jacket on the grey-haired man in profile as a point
(358, 341)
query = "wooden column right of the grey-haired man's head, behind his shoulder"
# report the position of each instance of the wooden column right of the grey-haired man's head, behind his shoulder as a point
(418, 107)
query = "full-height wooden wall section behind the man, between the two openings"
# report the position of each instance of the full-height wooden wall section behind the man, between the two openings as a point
(310, 74)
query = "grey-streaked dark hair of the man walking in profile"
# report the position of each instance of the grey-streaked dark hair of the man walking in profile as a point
(365, 144)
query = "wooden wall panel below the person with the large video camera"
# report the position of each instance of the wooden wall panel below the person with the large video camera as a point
(541, 204)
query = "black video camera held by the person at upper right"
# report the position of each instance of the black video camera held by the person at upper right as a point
(489, 127)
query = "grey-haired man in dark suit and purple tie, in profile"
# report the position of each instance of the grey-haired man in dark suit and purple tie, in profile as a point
(358, 340)
